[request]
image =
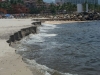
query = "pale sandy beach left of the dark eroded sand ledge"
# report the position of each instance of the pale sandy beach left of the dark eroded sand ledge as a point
(10, 62)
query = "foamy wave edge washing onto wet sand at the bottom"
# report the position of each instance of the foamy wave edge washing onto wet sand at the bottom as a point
(39, 69)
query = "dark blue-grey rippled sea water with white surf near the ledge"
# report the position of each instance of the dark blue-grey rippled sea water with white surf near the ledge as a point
(69, 48)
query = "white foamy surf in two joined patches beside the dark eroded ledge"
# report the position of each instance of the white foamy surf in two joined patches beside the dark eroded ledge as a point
(37, 38)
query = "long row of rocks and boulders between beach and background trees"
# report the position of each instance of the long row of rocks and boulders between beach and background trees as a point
(84, 16)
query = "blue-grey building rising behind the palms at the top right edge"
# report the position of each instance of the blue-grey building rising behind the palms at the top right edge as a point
(78, 1)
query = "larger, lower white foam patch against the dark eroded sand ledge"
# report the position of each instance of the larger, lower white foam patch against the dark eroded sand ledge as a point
(36, 38)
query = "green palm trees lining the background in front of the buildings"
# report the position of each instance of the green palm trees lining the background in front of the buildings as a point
(52, 8)
